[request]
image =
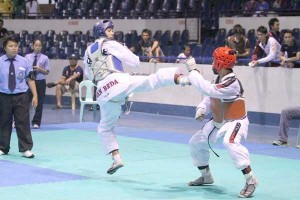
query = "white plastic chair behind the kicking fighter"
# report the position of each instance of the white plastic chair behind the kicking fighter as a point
(88, 98)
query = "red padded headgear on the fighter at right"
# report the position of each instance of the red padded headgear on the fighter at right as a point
(224, 58)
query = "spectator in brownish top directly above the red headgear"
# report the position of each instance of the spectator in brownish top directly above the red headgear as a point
(238, 42)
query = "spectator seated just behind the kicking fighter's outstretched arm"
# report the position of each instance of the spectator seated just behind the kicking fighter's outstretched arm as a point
(148, 47)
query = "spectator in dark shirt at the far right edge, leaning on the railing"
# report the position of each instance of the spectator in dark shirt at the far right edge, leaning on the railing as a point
(290, 51)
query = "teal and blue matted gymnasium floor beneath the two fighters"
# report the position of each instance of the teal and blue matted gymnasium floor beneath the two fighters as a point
(70, 165)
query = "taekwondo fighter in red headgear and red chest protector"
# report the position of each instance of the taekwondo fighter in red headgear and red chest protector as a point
(224, 99)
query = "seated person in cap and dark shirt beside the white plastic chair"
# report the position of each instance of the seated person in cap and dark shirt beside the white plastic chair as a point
(72, 75)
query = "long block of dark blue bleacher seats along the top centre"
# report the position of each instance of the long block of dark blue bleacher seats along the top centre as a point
(127, 8)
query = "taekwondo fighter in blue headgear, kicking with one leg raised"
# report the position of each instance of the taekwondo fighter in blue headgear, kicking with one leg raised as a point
(103, 65)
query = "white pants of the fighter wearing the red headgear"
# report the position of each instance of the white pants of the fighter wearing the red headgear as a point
(231, 133)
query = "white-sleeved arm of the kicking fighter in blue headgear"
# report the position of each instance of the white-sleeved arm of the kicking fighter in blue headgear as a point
(121, 52)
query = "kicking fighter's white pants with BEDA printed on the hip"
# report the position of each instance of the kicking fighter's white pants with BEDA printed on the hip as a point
(111, 95)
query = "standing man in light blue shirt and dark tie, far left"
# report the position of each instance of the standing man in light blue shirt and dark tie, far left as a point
(15, 71)
